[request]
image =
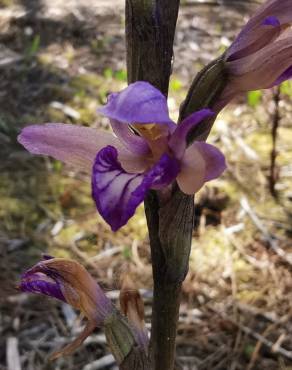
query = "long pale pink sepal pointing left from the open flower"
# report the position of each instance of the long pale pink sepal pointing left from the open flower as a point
(75, 145)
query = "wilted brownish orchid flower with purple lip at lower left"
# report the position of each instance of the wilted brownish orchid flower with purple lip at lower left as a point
(69, 282)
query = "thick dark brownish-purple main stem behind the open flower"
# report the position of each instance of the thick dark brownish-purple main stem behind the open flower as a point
(150, 28)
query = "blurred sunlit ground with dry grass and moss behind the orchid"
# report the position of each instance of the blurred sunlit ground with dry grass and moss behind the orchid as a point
(58, 62)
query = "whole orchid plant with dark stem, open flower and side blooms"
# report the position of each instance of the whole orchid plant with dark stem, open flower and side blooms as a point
(150, 158)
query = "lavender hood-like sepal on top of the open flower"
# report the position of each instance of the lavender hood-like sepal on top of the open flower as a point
(140, 102)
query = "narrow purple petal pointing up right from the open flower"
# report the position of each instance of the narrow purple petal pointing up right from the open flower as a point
(178, 140)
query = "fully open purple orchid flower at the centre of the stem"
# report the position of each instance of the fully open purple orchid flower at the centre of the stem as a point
(149, 151)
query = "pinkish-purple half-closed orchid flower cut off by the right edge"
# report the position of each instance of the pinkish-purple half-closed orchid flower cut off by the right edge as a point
(261, 55)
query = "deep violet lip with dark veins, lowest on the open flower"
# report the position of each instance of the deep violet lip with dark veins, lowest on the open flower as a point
(117, 193)
